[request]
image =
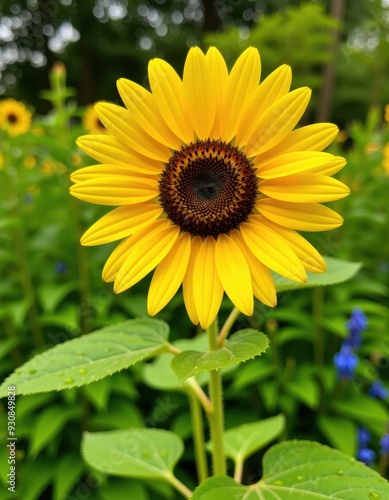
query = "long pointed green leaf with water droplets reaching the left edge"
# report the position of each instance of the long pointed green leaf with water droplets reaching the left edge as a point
(89, 358)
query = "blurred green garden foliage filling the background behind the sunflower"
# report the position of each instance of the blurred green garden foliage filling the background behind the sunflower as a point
(51, 288)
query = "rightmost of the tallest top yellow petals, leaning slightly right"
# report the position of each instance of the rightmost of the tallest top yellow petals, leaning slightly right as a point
(241, 83)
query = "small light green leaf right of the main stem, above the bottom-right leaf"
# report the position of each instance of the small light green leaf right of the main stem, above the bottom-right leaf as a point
(241, 442)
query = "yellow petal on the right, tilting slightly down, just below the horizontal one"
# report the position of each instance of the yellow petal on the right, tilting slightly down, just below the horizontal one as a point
(300, 216)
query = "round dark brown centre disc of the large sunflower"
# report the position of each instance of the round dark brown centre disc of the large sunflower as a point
(208, 188)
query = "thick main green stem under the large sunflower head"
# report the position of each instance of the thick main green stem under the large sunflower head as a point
(216, 419)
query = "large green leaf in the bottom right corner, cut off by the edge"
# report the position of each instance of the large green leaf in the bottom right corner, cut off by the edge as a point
(296, 470)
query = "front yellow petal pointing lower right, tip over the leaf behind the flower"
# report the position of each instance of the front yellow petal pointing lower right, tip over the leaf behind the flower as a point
(271, 249)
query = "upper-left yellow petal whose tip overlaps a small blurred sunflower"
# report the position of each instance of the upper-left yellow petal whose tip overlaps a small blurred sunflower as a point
(120, 123)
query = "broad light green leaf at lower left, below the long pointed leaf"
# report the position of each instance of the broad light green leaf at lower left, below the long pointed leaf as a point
(141, 453)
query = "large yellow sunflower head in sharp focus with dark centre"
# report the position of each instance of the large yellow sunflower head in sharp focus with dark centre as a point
(211, 183)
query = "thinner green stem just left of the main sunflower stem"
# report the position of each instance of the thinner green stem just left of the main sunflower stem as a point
(198, 437)
